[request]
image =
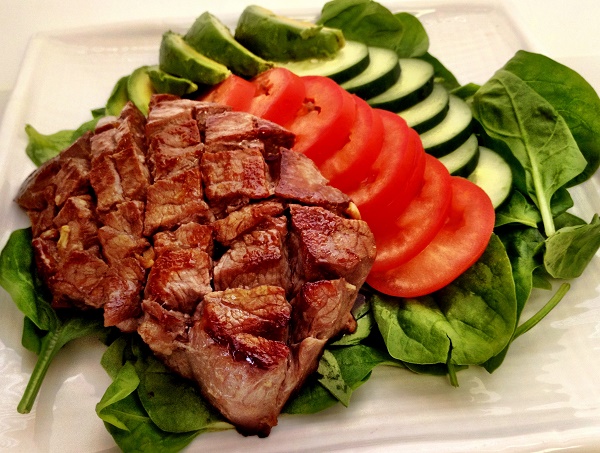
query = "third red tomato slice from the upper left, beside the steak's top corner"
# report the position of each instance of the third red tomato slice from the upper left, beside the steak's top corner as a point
(322, 126)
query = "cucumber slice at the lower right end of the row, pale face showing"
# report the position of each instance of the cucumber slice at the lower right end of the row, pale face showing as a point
(493, 175)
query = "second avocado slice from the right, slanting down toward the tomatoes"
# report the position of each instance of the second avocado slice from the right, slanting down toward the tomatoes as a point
(209, 36)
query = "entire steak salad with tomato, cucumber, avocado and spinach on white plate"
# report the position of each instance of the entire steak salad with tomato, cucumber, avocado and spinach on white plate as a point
(251, 235)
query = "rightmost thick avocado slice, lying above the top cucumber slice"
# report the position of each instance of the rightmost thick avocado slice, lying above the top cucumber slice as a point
(280, 38)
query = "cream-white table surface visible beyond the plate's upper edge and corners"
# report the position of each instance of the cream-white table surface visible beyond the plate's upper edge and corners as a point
(567, 31)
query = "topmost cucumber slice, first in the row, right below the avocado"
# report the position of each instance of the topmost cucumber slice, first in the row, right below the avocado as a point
(351, 60)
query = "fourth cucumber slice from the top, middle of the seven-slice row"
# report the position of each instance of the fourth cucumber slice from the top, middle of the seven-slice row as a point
(429, 112)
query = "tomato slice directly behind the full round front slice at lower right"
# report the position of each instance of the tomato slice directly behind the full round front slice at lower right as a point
(403, 237)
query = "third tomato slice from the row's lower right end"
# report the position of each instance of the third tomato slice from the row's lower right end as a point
(389, 173)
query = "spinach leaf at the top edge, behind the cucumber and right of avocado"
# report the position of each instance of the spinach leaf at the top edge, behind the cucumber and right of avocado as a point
(371, 23)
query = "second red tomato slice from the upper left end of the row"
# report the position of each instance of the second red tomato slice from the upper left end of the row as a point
(278, 97)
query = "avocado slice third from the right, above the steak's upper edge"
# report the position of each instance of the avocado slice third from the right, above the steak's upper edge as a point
(177, 57)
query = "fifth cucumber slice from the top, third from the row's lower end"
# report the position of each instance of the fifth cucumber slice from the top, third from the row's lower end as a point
(452, 132)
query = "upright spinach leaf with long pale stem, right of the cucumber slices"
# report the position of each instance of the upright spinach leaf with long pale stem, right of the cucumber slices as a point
(511, 111)
